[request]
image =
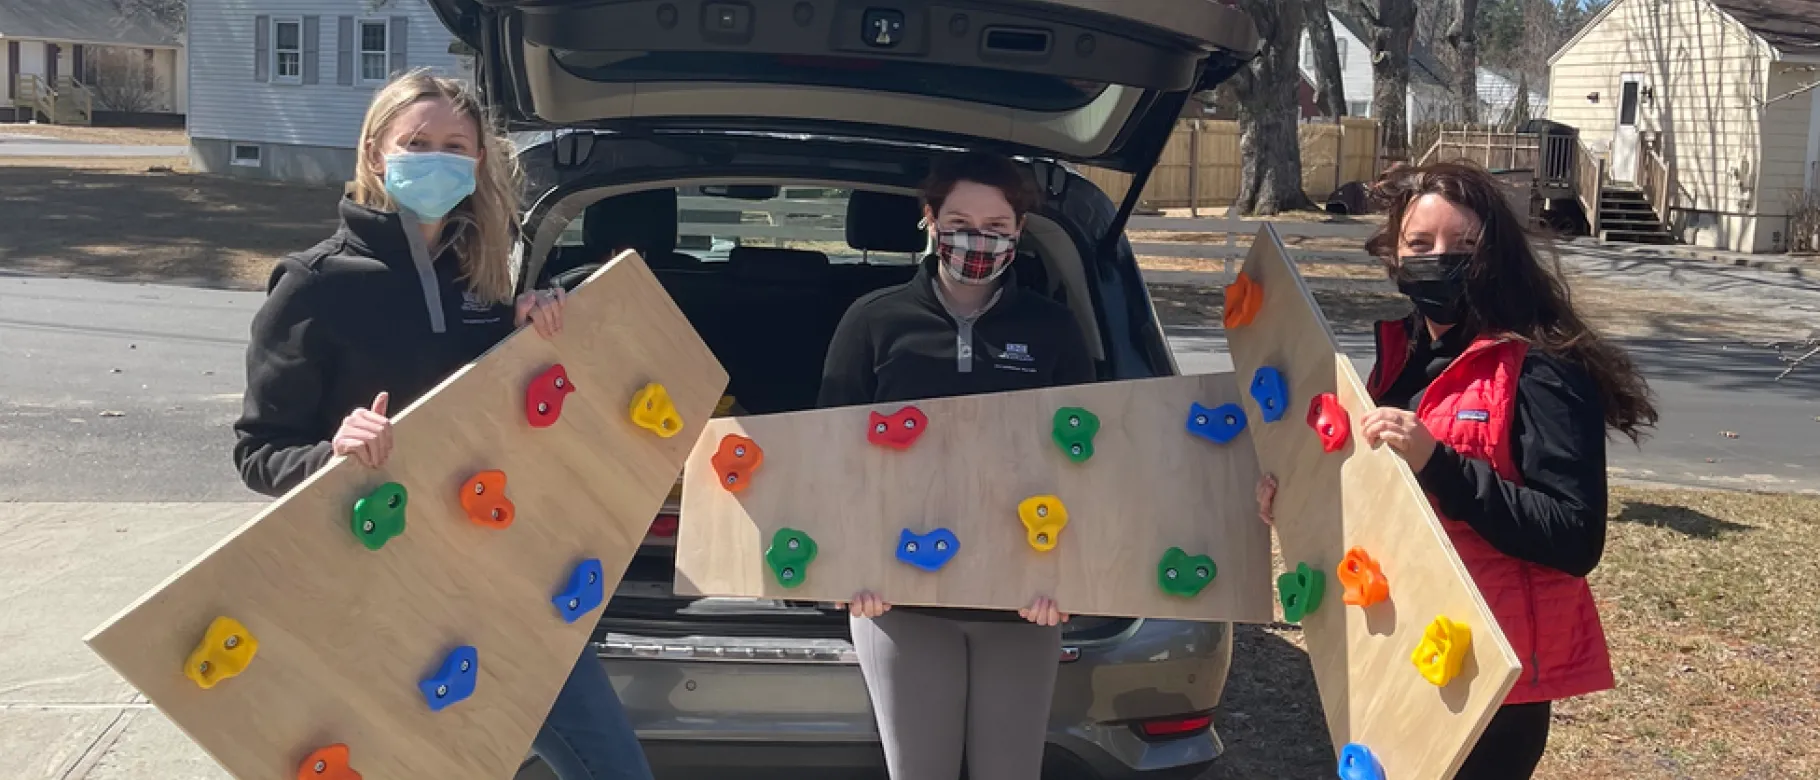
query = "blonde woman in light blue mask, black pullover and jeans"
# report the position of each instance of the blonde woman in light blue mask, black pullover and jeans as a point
(414, 285)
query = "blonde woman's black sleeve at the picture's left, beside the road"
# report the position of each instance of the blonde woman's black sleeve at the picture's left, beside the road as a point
(279, 439)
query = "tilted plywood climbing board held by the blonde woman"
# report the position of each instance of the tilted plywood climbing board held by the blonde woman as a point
(418, 621)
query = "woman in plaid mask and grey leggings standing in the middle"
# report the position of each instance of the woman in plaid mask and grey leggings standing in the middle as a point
(951, 683)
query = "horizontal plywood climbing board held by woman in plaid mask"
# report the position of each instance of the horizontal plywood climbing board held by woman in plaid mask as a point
(1077, 494)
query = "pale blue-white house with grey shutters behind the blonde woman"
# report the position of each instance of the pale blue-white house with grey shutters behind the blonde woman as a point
(281, 86)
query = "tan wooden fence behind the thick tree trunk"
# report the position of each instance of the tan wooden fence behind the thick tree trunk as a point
(1200, 166)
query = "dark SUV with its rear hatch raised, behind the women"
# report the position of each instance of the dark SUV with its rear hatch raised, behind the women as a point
(763, 159)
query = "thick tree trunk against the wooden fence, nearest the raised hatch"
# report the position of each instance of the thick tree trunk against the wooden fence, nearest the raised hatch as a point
(1268, 106)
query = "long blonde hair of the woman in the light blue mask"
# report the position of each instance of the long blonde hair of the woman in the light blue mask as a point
(487, 221)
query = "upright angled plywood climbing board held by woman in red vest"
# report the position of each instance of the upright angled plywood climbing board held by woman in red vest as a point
(1340, 505)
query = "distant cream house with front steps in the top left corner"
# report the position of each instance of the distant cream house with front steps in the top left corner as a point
(121, 63)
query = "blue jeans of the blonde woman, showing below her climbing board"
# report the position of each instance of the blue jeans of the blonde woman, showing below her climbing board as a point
(587, 735)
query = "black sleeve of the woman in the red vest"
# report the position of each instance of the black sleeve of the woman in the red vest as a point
(1557, 519)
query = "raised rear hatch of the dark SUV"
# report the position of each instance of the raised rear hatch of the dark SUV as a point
(1097, 83)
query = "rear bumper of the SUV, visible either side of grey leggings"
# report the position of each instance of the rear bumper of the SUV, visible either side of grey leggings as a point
(711, 706)
